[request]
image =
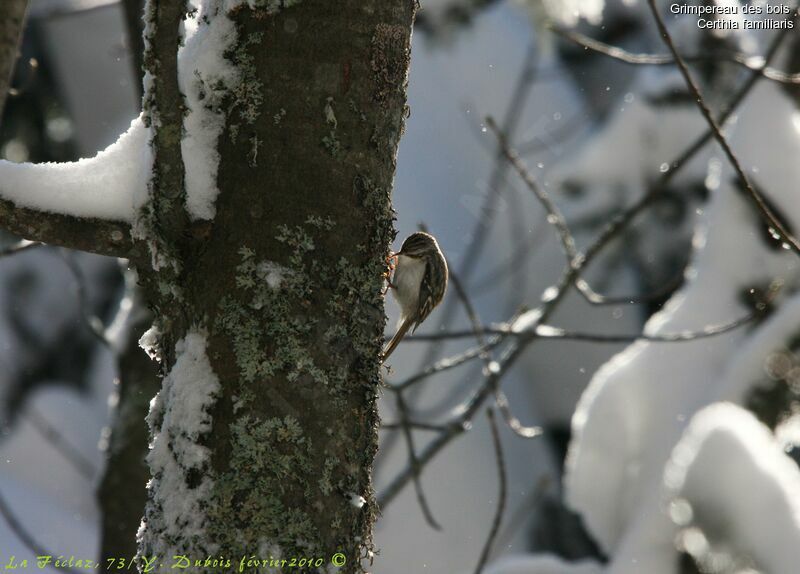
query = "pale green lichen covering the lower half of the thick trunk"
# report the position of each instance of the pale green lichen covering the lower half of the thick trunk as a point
(281, 348)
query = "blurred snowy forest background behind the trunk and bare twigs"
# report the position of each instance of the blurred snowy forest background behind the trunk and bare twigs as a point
(670, 442)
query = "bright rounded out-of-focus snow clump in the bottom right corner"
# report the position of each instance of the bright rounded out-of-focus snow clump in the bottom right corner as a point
(743, 491)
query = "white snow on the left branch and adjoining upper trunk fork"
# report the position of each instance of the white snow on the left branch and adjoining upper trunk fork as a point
(113, 184)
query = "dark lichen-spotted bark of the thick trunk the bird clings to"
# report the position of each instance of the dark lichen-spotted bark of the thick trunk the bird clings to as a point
(286, 282)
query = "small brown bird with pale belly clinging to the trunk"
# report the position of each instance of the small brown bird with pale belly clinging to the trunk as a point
(418, 283)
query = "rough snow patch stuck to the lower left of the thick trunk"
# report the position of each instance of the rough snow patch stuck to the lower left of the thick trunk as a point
(180, 416)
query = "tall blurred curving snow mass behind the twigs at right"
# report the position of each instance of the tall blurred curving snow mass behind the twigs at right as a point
(635, 409)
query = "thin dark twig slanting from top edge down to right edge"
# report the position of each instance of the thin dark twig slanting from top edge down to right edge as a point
(755, 197)
